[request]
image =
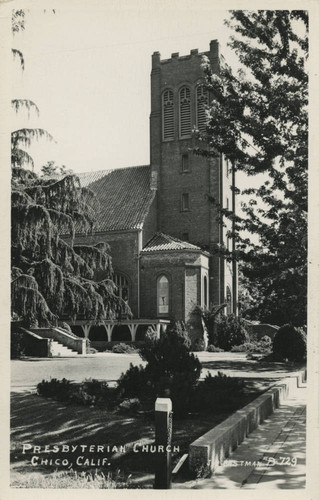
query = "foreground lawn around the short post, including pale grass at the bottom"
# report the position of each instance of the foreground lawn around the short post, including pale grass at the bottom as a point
(42, 422)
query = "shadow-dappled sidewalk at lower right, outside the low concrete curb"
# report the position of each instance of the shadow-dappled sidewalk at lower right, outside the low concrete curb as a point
(273, 456)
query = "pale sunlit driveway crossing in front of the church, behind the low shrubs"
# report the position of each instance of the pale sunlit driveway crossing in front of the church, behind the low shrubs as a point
(26, 374)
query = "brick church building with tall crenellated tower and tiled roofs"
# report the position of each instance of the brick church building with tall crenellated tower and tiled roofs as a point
(162, 220)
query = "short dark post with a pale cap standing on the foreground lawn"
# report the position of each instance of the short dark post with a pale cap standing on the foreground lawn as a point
(163, 443)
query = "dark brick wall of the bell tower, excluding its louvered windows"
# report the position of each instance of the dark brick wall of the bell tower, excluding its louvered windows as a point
(204, 180)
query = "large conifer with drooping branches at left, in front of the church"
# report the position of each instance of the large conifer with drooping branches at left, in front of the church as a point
(50, 275)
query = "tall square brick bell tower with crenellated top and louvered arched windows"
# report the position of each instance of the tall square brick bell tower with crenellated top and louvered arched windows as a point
(189, 186)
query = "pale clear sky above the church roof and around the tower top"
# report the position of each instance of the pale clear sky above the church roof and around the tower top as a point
(87, 67)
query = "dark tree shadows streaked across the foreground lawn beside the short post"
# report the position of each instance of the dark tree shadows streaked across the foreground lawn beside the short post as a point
(42, 422)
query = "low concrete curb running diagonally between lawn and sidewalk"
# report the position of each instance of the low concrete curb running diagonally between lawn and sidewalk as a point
(211, 449)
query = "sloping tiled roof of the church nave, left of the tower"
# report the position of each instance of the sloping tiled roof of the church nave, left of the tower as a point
(124, 196)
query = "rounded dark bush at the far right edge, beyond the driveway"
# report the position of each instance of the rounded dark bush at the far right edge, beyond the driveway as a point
(290, 343)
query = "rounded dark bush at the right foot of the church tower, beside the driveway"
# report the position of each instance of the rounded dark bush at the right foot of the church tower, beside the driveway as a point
(230, 331)
